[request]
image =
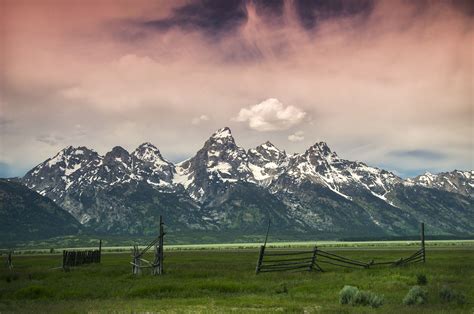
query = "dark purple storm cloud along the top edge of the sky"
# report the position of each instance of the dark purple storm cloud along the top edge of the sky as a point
(218, 17)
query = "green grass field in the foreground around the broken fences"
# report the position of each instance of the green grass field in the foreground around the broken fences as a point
(224, 281)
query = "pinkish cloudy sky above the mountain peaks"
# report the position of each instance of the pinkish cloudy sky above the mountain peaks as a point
(386, 82)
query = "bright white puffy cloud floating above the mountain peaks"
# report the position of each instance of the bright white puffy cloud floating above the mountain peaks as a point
(271, 115)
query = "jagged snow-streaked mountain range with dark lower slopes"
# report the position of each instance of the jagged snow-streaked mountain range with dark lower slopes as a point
(228, 192)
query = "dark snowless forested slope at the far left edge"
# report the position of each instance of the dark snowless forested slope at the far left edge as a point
(26, 215)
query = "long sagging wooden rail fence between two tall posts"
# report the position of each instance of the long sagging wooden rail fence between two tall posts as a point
(310, 259)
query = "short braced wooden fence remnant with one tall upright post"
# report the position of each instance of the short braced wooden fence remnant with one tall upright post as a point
(138, 263)
